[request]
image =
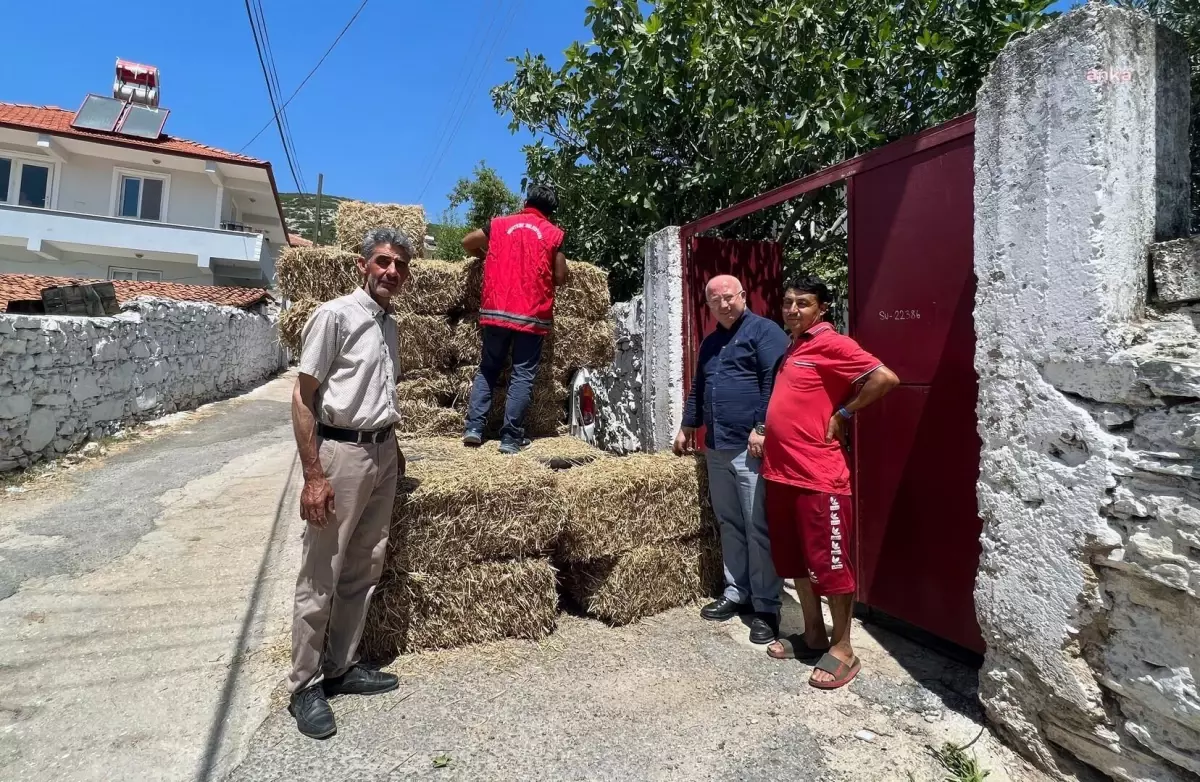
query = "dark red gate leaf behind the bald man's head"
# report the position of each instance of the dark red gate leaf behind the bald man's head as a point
(759, 267)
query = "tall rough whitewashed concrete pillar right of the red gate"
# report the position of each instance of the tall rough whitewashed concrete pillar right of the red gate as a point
(1081, 165)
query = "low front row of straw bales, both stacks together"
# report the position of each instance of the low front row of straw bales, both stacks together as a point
(482, 543)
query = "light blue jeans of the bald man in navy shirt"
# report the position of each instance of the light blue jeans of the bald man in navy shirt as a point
(740, 506)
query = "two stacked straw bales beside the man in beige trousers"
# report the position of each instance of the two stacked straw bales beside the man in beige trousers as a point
(469, 558)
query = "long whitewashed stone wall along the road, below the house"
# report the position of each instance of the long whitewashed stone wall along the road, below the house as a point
(65, 381)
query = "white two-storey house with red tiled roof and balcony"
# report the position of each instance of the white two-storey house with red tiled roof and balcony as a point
(111, 206)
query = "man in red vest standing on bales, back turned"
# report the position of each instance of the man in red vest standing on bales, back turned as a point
(524, 266)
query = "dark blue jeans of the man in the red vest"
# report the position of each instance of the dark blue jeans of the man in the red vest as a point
(526, 351)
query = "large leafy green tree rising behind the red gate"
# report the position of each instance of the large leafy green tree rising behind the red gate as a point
(662, 119)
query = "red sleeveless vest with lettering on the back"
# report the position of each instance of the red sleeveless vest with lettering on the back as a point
(519, 273)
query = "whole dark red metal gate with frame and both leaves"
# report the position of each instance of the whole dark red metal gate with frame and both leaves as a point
(916, 455)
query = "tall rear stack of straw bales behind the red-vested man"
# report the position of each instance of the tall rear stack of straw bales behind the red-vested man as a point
(439, 318)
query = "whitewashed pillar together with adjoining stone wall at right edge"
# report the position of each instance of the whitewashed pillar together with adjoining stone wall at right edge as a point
(1091, 560)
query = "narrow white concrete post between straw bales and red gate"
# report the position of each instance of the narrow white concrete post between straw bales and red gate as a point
(663, 369)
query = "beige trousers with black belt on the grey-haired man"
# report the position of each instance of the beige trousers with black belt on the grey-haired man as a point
(343, 563)
